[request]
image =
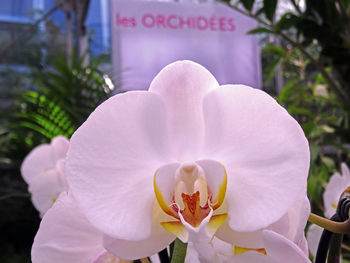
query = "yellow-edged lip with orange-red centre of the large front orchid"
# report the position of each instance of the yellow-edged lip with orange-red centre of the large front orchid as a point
(190, 193)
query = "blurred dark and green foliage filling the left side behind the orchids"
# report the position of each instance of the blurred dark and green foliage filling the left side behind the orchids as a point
(46, 96)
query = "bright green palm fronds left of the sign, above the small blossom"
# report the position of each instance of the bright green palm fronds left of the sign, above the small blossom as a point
(63, 97)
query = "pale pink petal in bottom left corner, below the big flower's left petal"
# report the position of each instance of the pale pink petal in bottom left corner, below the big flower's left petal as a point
(65, 235)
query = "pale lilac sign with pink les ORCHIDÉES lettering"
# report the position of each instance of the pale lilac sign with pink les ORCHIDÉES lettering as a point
(146, 36)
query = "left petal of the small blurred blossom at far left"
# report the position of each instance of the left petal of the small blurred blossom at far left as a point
(38, 160)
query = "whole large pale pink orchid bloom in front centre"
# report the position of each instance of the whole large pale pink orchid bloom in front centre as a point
(184, 157)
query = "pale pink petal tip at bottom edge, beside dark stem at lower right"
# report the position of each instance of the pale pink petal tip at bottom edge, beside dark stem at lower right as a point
(281, 249)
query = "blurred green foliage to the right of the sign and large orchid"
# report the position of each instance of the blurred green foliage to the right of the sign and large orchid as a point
(306, 55)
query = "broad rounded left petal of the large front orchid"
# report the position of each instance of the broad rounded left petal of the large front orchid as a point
(111, 162)
